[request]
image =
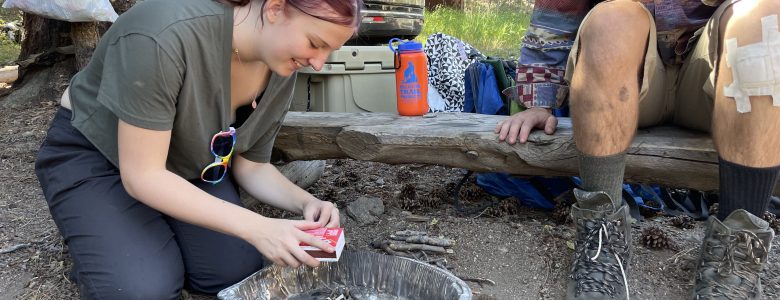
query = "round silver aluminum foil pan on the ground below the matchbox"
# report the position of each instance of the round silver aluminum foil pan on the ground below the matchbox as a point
(357, 275)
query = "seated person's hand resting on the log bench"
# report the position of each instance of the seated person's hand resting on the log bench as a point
(517, 127)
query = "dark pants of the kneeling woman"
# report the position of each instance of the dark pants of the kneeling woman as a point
(121, 248)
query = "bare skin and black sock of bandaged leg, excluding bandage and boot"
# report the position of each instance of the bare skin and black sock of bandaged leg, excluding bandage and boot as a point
(748, 143)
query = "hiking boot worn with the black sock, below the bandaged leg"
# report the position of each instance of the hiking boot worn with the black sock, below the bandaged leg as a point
(733, 254)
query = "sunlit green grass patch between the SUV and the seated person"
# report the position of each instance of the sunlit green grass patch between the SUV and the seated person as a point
(494, 30)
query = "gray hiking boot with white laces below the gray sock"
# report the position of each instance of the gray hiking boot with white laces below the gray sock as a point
(601, 248)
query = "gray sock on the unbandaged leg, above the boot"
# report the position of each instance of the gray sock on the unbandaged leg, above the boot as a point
(604, 173)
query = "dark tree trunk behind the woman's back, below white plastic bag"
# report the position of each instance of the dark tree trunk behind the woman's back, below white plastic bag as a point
(52, 51)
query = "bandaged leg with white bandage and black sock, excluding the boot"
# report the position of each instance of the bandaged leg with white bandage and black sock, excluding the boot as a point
(748, 139)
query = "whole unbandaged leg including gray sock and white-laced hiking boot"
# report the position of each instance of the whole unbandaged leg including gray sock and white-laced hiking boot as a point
(605, 96)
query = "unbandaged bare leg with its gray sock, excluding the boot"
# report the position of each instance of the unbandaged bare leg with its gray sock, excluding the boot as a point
(605, 91)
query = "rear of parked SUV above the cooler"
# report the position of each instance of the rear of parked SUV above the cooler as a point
(385, 19)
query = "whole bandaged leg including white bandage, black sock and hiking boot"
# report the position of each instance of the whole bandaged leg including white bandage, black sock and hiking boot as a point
(747, 143)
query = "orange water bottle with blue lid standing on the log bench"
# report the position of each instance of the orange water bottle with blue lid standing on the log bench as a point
(411, 78)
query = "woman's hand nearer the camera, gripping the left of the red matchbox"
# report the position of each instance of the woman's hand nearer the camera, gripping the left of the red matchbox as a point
(279, 241)
